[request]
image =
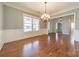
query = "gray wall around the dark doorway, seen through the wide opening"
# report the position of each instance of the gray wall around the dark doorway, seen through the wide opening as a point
(65, 24)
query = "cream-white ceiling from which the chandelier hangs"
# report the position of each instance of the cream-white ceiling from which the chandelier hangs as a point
(38, 7)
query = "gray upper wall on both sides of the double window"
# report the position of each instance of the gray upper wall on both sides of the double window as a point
(13, 19)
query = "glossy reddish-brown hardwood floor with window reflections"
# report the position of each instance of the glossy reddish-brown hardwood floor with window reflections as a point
(44, 46)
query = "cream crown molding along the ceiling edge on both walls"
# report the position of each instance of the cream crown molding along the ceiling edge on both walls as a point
(37, 14)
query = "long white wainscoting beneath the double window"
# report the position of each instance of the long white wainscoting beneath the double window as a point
(17, 34)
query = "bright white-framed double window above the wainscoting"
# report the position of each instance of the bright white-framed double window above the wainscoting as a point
(31, 24)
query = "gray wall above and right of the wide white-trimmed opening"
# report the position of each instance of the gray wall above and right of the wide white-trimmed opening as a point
(76, 11)
